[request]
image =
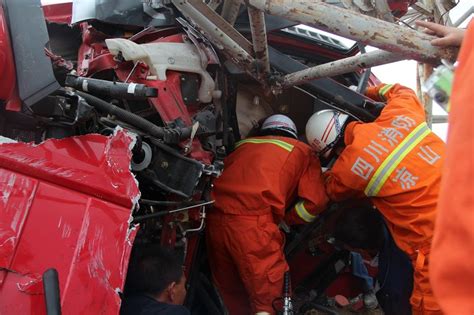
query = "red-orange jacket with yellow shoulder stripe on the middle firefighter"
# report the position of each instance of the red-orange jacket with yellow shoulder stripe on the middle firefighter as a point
(265, 175)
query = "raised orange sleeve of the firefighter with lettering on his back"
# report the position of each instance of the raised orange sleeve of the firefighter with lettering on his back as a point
(395, 95)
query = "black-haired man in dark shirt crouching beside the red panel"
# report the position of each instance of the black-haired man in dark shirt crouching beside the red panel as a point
(155, 284)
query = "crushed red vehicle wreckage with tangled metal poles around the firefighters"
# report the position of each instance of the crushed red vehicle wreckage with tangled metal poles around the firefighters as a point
(116, 115)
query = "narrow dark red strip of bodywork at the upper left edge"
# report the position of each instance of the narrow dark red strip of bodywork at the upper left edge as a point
(8, 90)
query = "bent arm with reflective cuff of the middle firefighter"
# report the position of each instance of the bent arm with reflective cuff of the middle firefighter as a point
(312, 196)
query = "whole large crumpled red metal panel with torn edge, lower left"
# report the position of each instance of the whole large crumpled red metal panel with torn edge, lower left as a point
(48, 219)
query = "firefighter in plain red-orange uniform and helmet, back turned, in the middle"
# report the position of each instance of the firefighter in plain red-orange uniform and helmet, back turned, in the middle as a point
(263, 177)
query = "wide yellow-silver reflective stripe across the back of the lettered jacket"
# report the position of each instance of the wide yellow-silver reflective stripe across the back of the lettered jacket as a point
(395, 158)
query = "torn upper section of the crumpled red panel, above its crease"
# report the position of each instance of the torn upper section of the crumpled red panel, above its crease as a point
(92, 164)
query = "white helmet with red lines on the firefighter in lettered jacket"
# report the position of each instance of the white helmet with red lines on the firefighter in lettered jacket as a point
(323, 129)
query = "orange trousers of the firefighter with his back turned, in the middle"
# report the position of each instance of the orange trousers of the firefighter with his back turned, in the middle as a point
(247, 261)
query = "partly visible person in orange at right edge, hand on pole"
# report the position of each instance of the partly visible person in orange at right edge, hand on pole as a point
(452, 272)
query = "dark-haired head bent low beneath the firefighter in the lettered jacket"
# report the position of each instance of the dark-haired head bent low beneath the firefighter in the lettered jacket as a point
(360, 227)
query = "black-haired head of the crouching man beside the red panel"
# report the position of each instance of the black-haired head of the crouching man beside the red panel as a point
(157, 272)
